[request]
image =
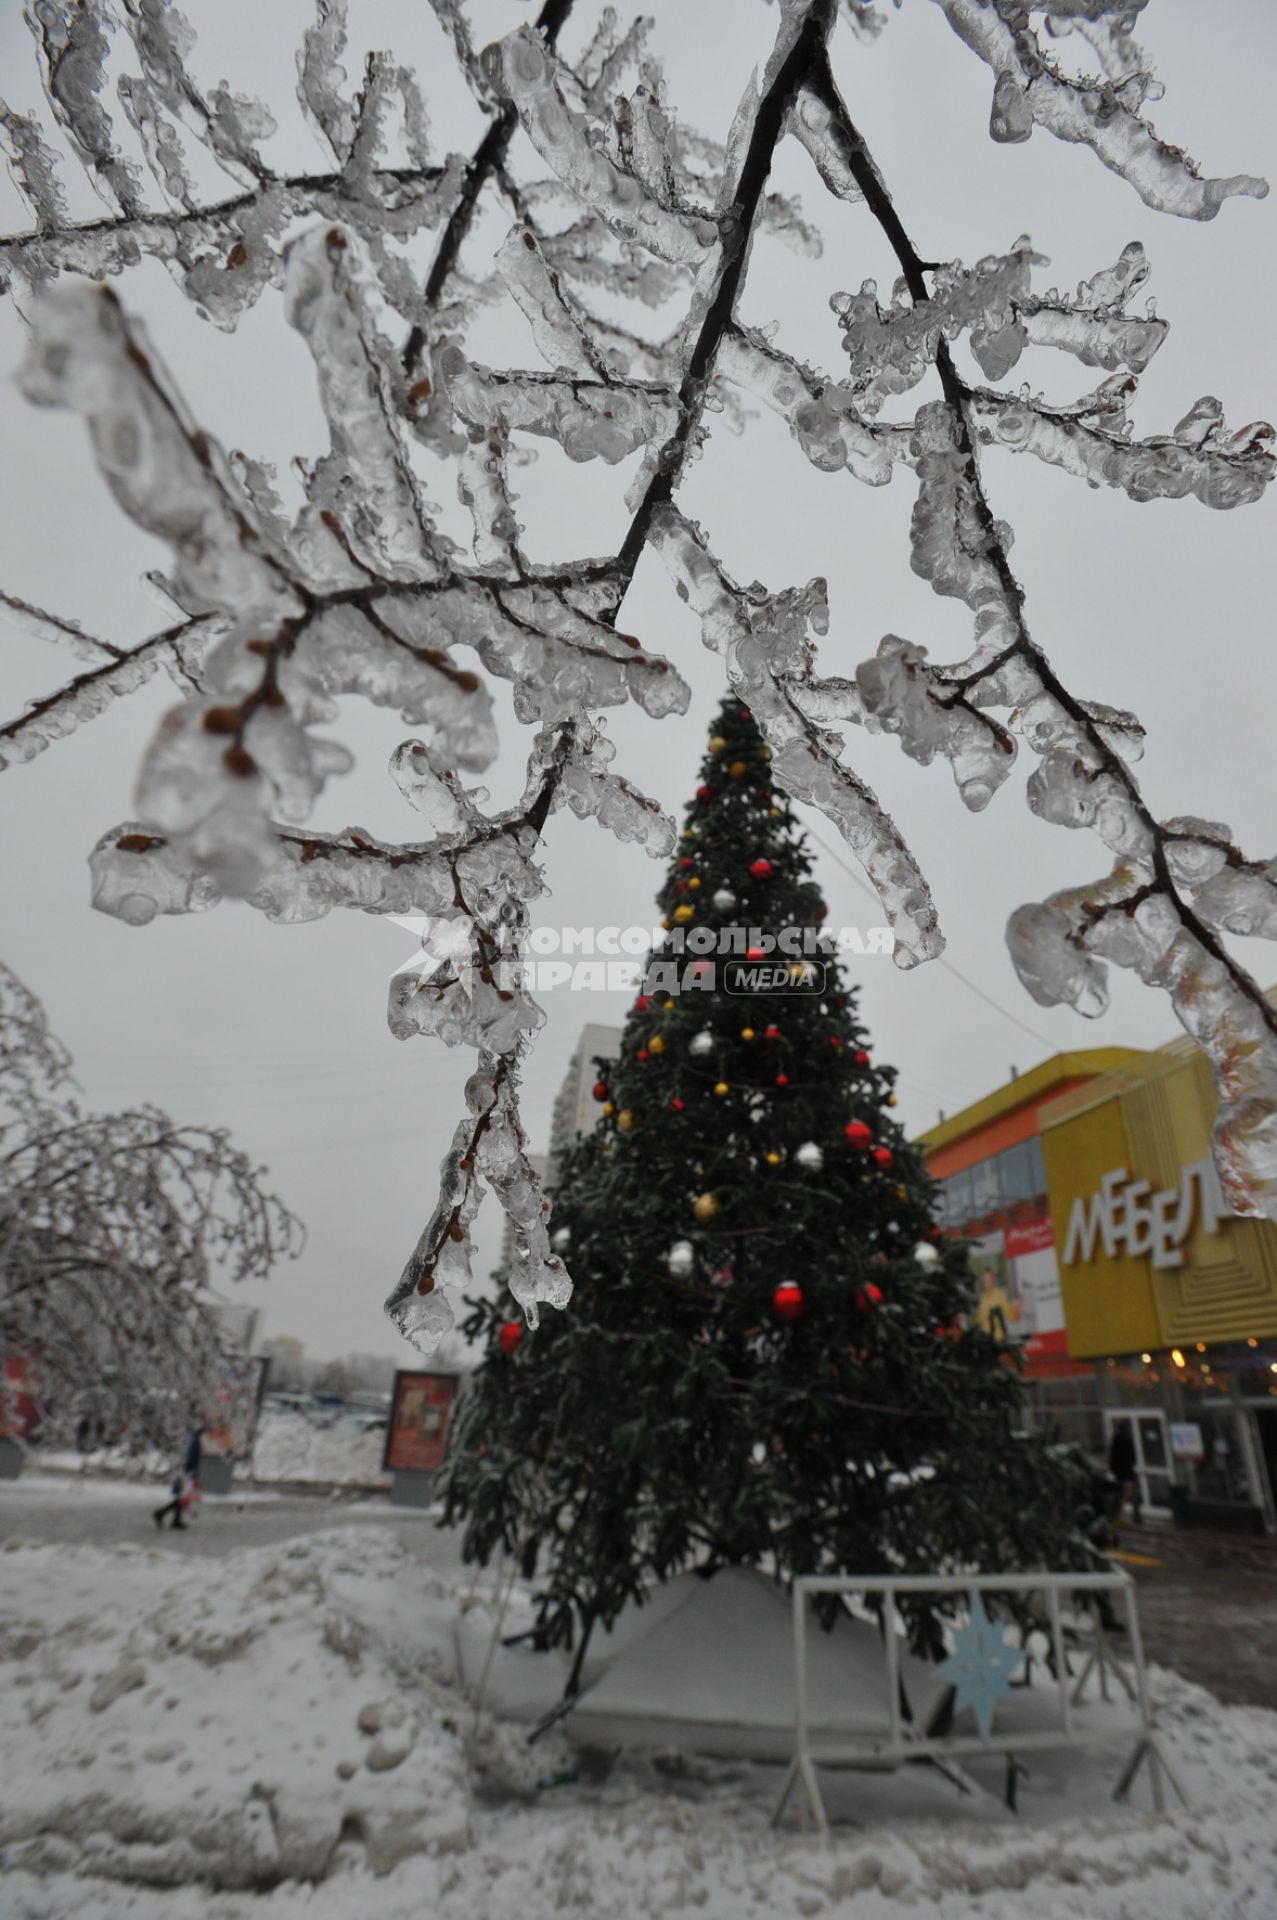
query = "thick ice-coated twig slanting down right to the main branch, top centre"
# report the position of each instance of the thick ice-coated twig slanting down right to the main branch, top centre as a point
(562, 137)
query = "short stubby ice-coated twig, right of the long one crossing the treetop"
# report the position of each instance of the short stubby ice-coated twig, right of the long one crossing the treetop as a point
(904, 696)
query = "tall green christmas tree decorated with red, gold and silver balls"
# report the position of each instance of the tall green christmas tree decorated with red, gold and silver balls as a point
(767, 1358)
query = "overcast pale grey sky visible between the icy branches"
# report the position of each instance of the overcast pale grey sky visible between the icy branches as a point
(281, 1032)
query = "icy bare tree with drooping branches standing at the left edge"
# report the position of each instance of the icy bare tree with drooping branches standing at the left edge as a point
(114, 1234)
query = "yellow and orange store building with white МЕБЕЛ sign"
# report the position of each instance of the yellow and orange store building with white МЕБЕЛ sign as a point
(1165, 1299)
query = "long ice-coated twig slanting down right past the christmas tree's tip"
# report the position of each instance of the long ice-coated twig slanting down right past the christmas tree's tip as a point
(765, 644)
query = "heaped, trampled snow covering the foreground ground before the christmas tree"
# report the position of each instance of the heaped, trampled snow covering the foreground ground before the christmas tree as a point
(289, 1721)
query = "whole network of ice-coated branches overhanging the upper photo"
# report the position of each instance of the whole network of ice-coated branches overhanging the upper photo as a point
(272, 617)
